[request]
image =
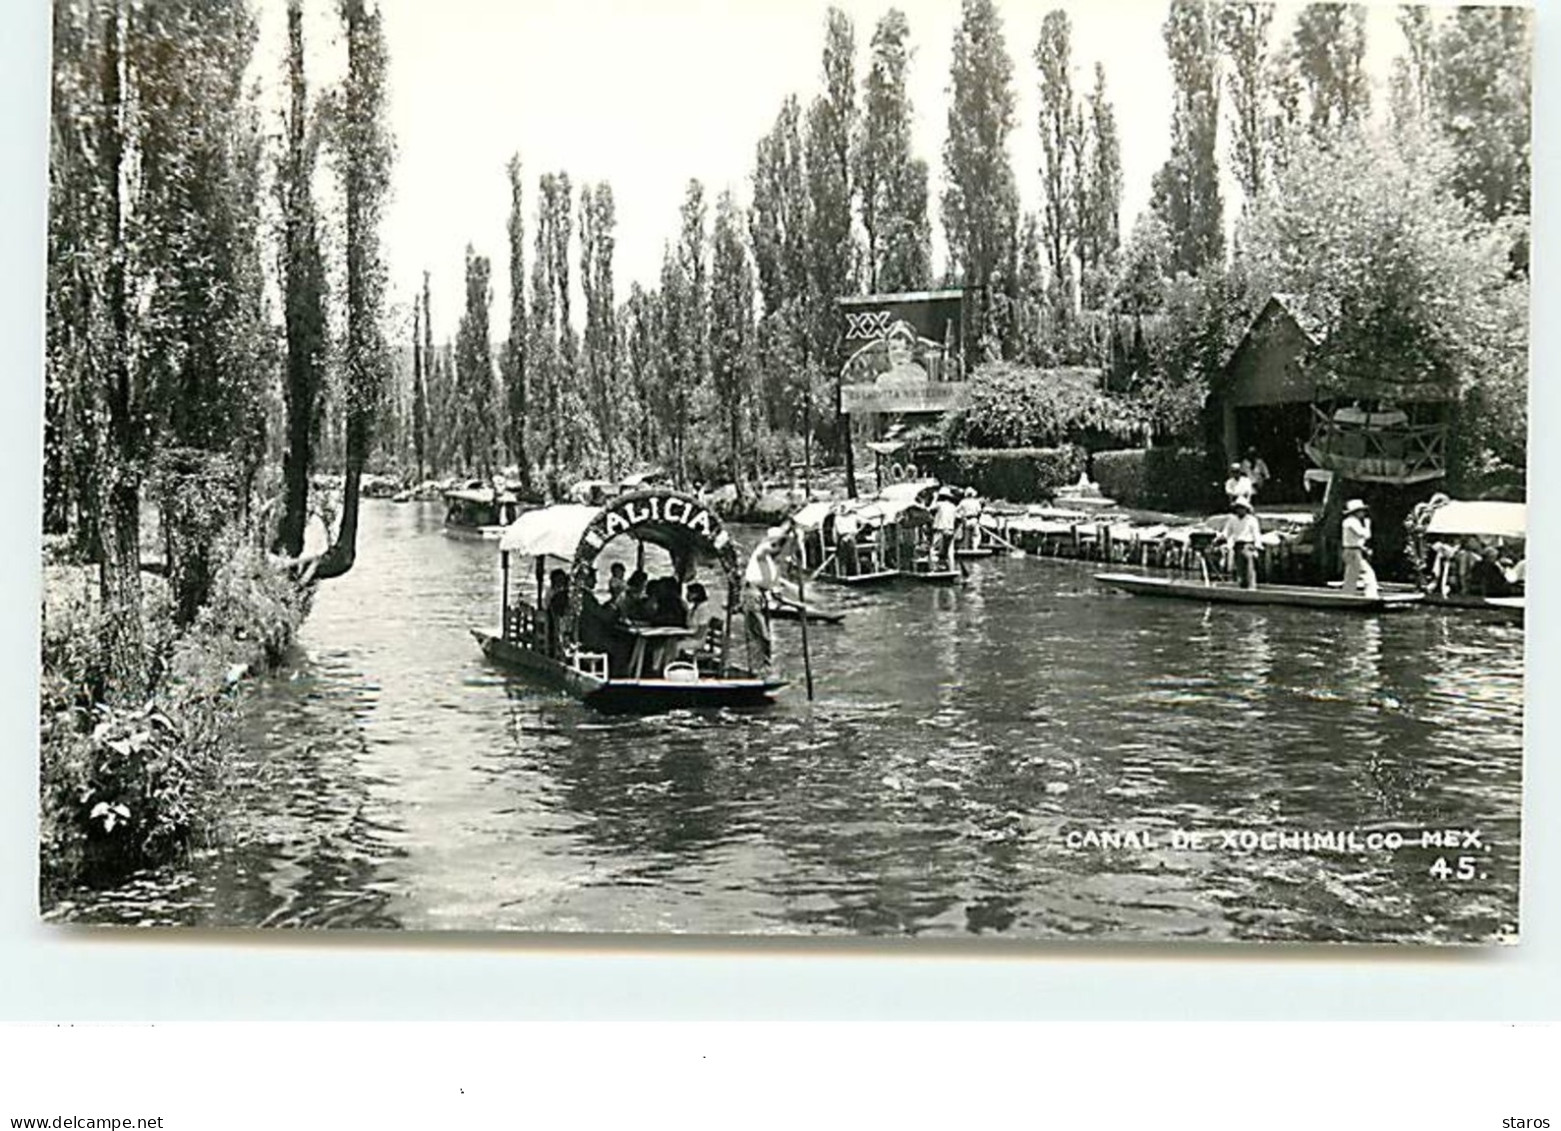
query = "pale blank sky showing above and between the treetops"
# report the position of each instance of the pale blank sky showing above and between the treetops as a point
(647, 94)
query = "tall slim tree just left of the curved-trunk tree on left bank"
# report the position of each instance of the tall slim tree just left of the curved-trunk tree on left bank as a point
(304, 294)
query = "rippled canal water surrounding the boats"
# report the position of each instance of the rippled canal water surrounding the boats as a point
(1029, 756)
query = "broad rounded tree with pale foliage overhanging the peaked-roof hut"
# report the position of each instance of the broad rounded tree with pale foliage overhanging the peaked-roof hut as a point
(1407, 285)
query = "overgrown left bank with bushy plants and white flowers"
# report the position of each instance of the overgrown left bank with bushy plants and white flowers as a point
(133, 787)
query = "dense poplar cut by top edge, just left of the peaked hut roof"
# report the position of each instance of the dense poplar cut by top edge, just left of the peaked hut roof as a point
(1186, 193)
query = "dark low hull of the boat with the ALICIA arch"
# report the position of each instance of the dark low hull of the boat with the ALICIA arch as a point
(625, 697)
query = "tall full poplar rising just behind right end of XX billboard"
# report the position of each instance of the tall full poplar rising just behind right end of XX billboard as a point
(981, 202)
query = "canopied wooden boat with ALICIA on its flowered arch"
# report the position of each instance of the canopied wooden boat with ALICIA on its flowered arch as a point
(597, 656)
